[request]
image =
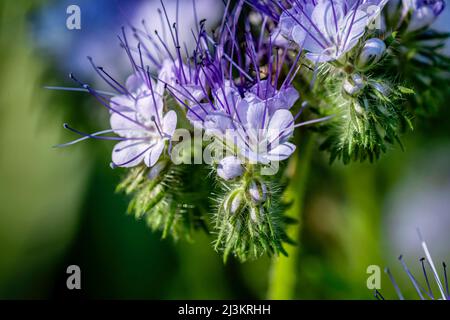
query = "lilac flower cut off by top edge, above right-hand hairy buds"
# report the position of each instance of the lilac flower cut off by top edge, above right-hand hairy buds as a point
(327, 29)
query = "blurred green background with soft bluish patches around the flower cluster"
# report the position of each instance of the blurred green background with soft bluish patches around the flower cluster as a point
(58, 206)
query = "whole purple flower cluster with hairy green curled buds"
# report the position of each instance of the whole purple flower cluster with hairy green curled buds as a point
(245, 87)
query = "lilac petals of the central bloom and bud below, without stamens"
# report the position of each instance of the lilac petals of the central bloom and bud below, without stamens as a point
(256, 127)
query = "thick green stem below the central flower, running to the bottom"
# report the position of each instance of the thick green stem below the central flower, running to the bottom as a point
(283, 274)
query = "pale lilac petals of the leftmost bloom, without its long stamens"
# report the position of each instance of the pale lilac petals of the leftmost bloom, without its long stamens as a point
(138, 118)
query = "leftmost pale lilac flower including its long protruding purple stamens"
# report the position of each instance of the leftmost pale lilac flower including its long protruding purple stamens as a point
(143, 129)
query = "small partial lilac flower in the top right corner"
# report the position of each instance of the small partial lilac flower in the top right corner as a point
(423, 12)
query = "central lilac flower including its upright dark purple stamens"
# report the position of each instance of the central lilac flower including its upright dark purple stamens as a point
(248, 115)
